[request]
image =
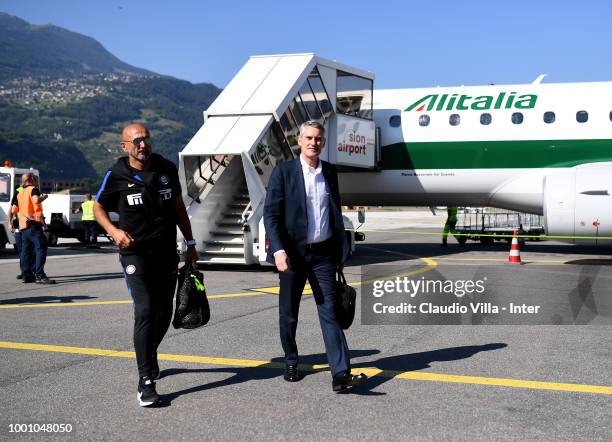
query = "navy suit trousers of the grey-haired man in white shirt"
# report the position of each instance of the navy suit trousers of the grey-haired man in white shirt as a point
(318, 267)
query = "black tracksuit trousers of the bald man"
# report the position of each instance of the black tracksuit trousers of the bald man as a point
(151, 281)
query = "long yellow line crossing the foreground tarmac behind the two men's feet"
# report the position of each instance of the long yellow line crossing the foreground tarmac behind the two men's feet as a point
(408, 375)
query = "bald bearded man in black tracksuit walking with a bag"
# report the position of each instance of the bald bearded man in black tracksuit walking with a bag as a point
(144, 189)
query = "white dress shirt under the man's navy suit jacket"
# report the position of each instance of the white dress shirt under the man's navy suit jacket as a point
(317, 203)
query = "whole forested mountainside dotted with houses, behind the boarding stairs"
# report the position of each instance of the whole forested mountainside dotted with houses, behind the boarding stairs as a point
(64, 100)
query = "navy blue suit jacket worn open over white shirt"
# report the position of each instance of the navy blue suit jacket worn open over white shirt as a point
(285, 215)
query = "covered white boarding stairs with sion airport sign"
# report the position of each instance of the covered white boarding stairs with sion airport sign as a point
(252, 126)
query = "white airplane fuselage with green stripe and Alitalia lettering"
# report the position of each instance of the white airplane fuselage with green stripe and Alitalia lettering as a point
(484, 145)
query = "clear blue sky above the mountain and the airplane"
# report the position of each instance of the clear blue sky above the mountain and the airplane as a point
(406, 43)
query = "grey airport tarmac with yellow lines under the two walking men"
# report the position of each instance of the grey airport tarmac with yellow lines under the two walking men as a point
(68, 357)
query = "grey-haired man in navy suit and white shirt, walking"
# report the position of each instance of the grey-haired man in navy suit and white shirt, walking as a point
(303, 221)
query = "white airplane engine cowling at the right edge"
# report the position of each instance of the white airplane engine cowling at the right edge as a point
(578, 202)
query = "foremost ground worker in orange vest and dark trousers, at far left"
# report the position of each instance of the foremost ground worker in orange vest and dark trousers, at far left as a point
(31, 224)
